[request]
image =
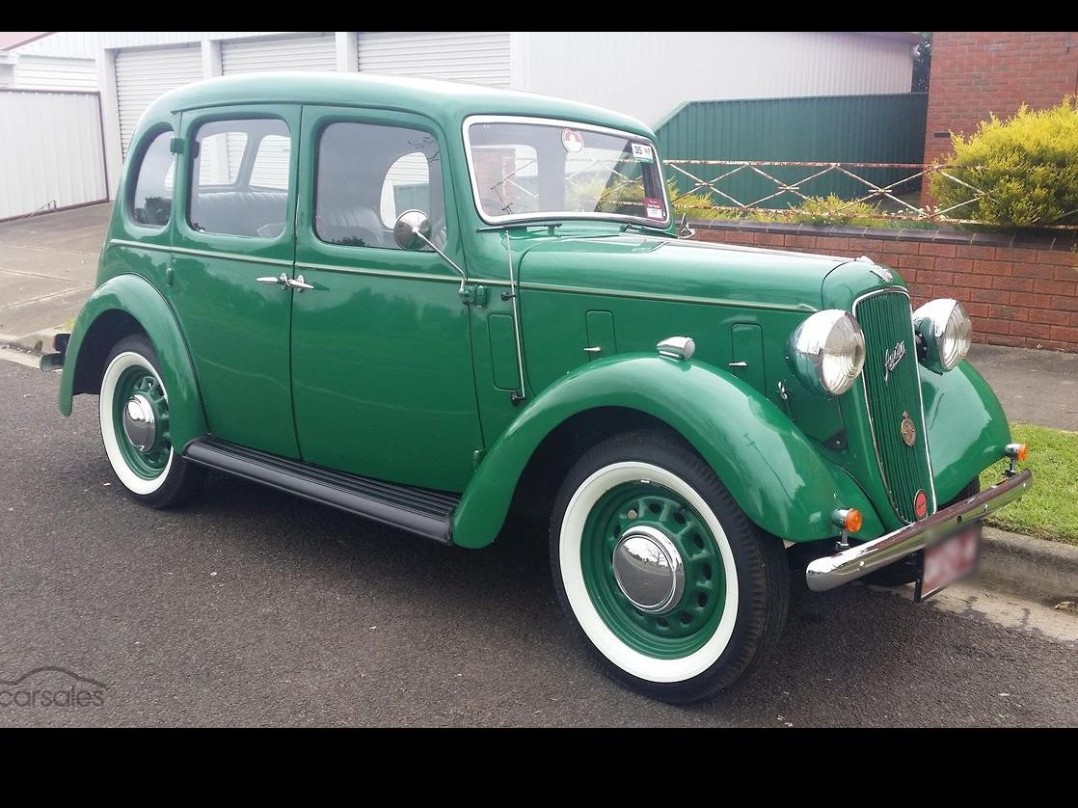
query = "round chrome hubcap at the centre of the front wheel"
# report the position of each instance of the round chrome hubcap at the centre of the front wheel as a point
(649, 570)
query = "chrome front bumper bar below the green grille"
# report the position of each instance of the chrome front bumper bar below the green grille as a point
(861, 560)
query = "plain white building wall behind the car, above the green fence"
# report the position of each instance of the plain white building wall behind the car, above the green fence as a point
(648, 75)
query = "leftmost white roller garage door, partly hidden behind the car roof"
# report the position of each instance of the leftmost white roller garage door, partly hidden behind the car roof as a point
(143, 76)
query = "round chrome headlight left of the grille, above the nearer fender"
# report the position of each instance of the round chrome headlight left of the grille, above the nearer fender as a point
(827, 352)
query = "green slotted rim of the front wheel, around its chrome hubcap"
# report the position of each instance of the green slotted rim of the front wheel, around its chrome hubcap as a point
(695, 619)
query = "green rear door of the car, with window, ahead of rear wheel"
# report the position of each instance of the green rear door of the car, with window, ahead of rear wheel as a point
(233, 255)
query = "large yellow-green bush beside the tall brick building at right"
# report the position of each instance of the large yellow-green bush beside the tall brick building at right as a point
(1025, 170)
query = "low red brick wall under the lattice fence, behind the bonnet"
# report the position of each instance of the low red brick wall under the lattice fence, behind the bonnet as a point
(1021, 297)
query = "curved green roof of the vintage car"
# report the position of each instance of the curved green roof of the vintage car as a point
(446, 102)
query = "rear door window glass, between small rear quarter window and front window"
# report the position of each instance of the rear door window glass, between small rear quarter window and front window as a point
(241, 178)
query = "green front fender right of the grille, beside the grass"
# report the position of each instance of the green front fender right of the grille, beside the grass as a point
(968, 428)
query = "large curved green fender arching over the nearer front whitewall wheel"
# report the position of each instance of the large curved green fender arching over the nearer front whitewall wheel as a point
(772, 470)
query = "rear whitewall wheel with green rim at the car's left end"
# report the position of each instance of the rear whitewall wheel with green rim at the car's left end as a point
(135, 428)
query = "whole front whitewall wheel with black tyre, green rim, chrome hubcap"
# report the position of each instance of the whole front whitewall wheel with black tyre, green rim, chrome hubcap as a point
(670, 584)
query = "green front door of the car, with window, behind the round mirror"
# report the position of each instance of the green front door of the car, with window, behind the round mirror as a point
(382, 371)
